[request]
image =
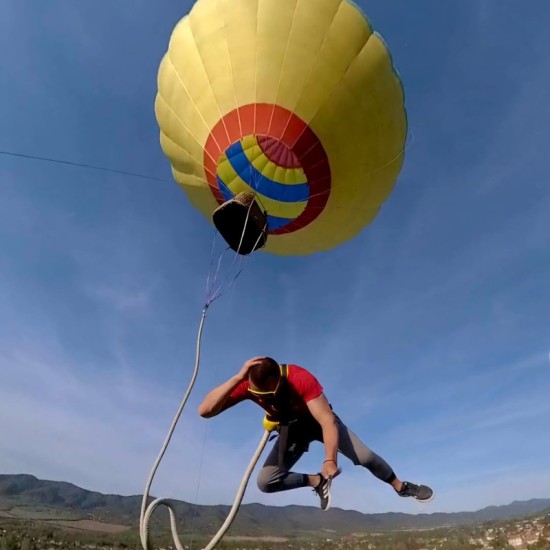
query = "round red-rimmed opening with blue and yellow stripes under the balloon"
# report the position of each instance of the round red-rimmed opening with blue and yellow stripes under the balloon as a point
(285, 166)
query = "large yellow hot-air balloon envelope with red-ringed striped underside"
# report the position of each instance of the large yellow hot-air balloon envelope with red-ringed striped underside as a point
(294, 100)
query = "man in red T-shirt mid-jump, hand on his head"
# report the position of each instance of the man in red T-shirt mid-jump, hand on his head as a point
(293, 398)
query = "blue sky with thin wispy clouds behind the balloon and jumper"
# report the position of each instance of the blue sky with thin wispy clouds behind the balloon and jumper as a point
(429, 331)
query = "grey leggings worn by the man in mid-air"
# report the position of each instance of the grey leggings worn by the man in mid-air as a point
(273, 478)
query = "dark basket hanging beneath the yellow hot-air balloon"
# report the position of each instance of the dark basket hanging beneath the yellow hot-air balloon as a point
(242, 223)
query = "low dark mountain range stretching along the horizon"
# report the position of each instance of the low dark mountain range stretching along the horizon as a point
(23, 496)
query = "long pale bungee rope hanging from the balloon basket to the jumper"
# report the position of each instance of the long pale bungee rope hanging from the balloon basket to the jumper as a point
(147, 510)
